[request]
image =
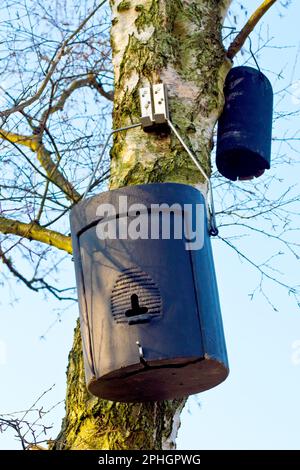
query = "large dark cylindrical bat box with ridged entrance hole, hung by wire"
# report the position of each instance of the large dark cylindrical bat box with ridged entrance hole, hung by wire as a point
(149, 308)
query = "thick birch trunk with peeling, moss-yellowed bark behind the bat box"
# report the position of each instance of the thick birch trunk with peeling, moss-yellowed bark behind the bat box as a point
(177, 42)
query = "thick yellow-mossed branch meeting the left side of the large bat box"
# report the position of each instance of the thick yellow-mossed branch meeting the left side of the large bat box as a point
(33, 231)
